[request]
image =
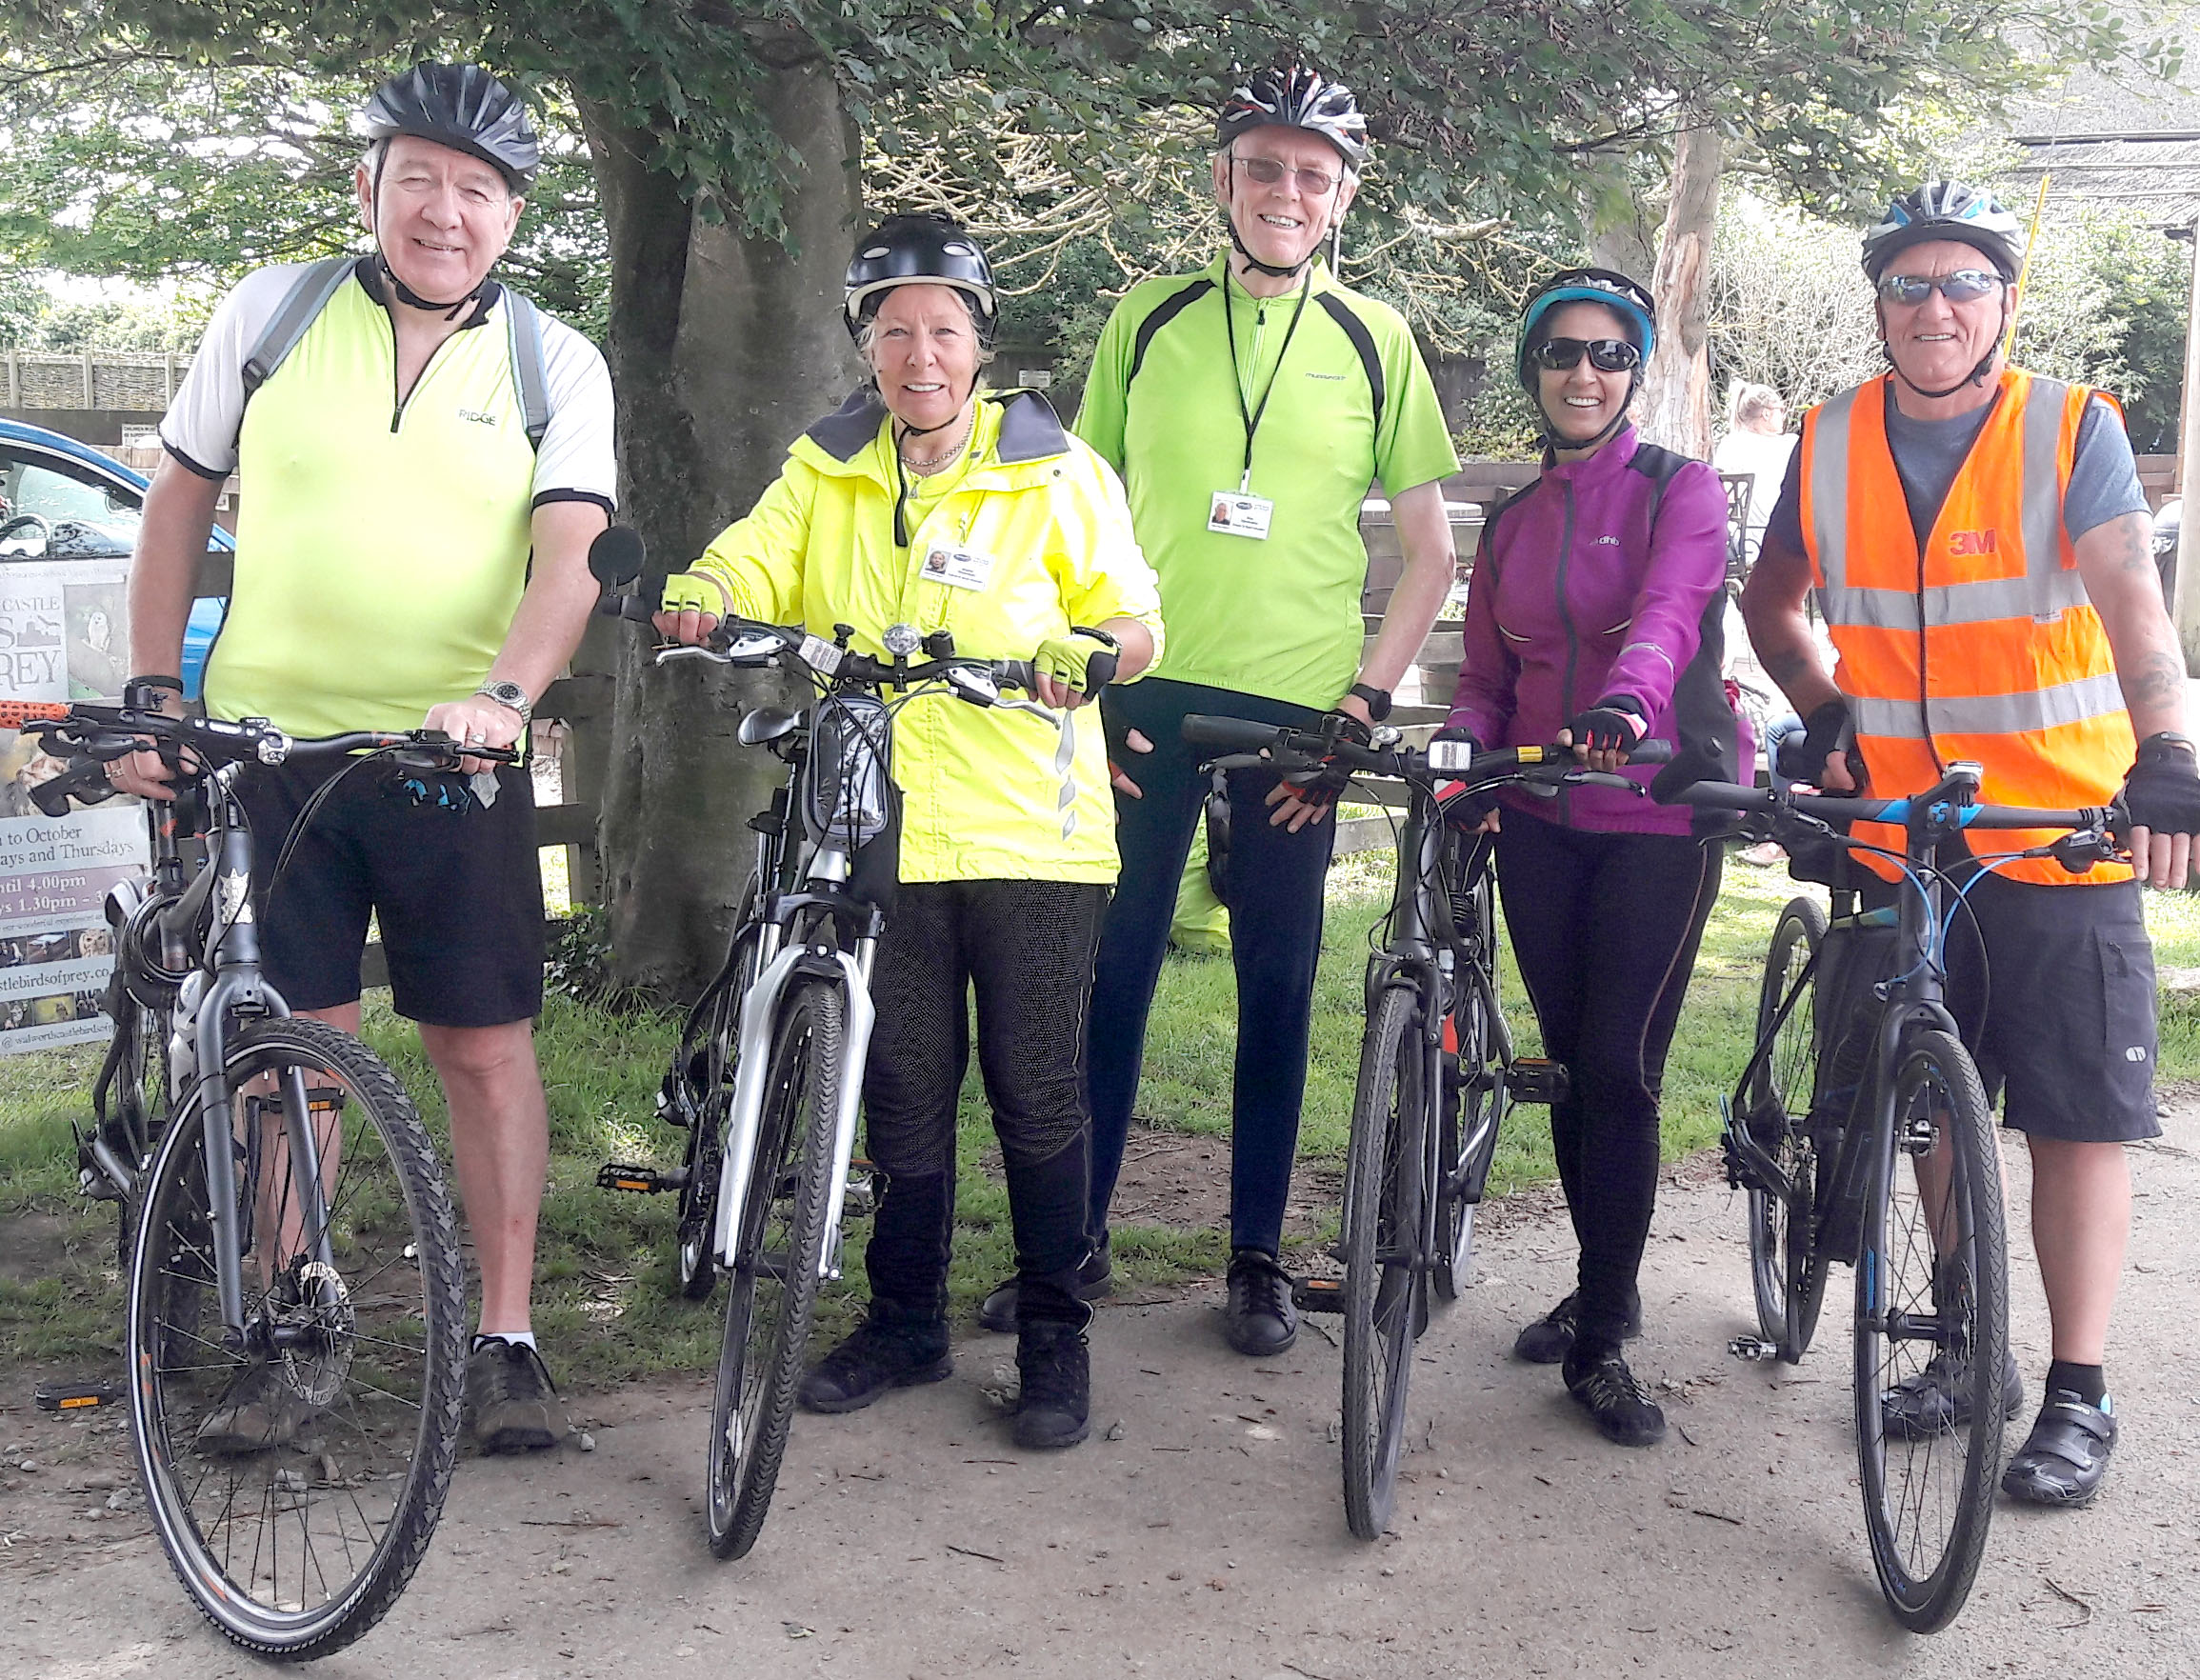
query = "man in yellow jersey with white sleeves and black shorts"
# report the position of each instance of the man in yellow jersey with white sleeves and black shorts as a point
(412, 553)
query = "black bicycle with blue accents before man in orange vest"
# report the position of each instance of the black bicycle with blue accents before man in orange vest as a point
(1827, 1112)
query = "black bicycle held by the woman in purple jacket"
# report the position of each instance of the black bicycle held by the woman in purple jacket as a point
(1438, 1068)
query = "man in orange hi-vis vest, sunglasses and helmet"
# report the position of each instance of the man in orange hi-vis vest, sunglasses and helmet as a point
(1981, 557)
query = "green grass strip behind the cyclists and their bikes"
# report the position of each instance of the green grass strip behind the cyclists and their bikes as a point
(606, 1296)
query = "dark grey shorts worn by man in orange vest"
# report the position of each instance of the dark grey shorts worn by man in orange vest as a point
(2060, 1015)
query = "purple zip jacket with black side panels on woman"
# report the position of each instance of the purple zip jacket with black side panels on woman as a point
(1605, 579)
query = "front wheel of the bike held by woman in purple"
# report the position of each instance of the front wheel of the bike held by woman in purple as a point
(1383, 1276)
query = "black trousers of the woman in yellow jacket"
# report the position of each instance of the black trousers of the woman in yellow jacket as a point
(1028, 949)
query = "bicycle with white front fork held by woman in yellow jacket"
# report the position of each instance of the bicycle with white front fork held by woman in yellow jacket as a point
(769, 1072)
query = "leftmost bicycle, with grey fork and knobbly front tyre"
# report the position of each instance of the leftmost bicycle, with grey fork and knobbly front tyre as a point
(296, 1292)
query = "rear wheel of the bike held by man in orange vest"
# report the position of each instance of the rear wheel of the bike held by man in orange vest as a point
(1785, 1268)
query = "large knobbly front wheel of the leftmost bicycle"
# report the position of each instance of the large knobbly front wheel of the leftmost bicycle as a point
(357, 1360)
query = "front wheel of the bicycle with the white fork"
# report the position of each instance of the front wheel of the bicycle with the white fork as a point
(771, 1290)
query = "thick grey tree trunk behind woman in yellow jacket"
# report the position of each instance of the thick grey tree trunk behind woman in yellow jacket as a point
(723, 349)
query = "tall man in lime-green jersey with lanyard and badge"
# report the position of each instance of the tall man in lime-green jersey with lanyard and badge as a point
(1248, 410)
